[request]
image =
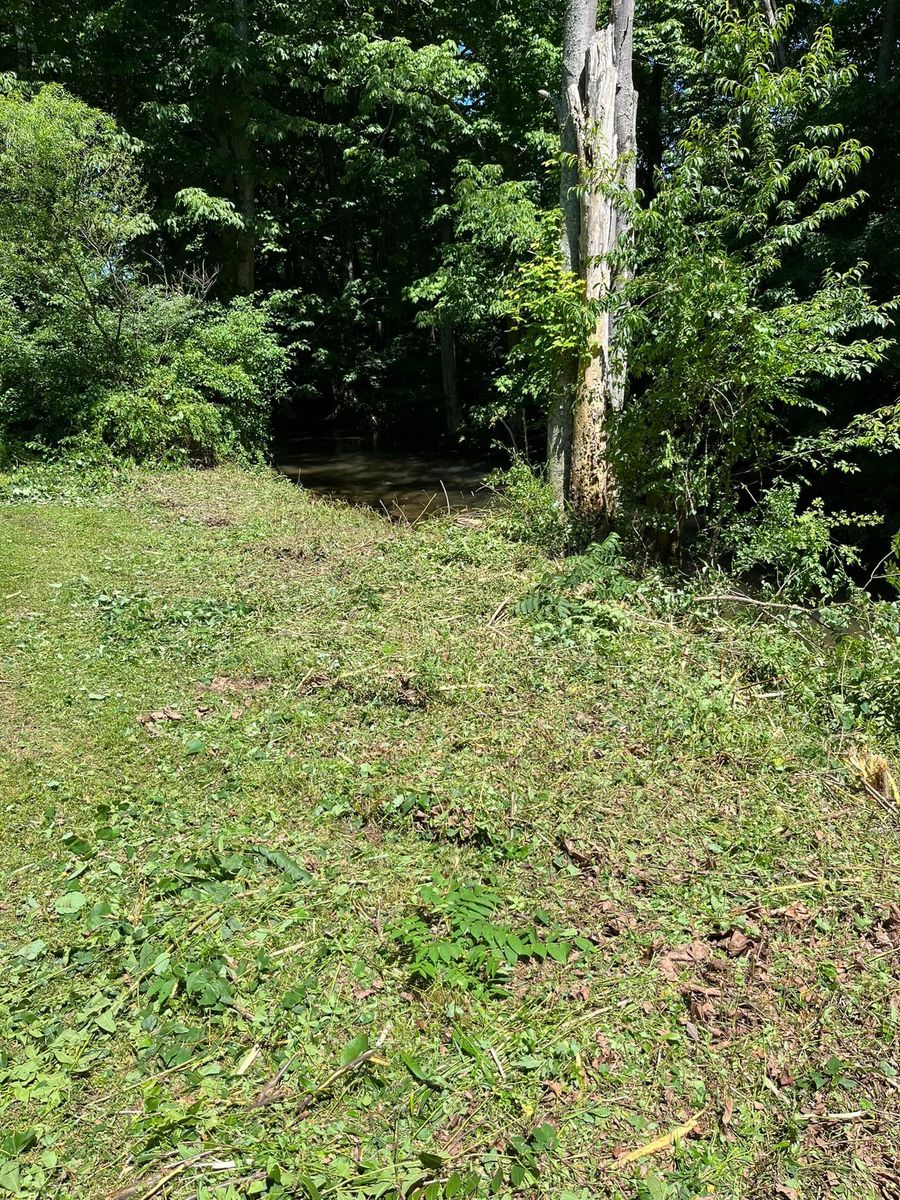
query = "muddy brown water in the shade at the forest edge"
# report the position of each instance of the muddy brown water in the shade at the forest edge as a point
(405, 487)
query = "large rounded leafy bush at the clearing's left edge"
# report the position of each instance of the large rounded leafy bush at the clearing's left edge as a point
(88, 344)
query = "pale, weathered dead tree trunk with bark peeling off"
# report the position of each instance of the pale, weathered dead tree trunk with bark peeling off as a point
(597, 121)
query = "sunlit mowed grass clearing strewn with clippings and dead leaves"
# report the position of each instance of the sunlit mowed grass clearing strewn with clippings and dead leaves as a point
(242, 730)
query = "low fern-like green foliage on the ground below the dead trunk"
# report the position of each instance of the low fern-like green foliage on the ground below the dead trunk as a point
(583, 602)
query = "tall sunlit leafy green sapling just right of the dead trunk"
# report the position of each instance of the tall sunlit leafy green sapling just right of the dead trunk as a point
(723, 344)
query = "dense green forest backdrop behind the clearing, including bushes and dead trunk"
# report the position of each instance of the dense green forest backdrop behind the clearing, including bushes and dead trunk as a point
(227, 220)
